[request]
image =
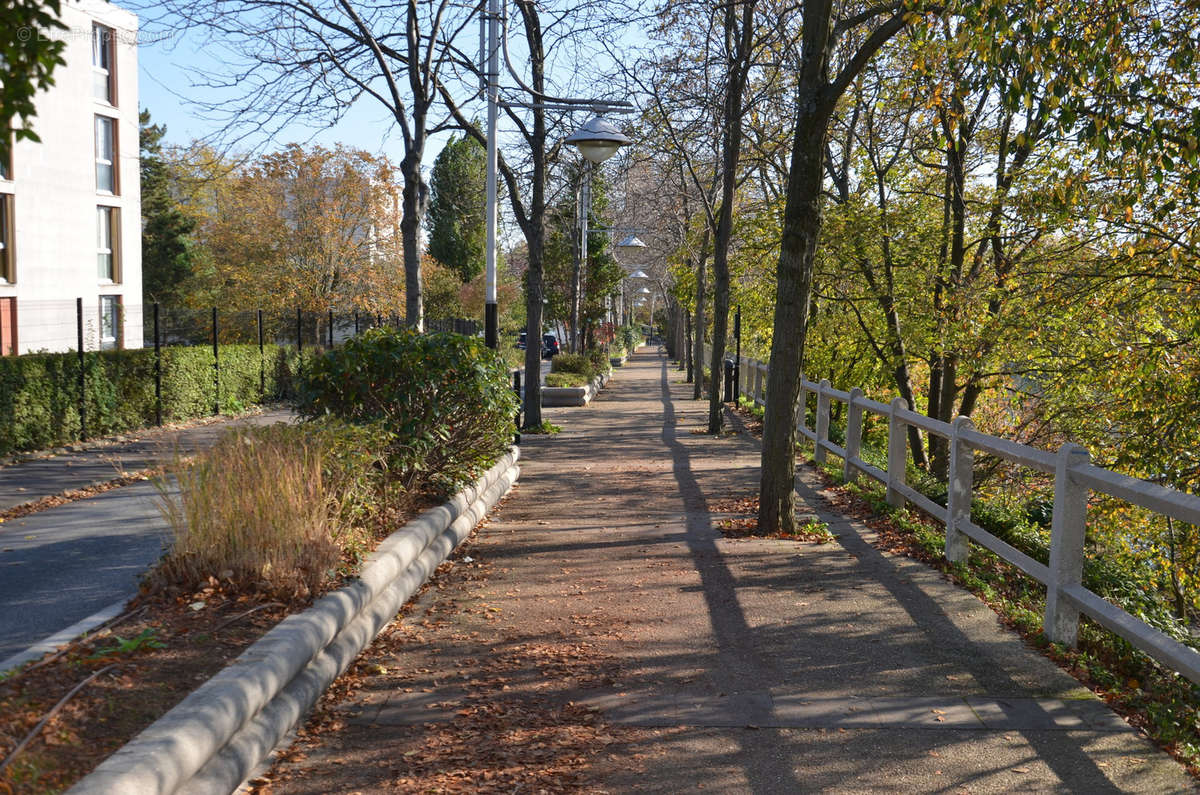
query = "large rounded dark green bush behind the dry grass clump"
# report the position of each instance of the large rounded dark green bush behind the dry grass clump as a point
(445, 397)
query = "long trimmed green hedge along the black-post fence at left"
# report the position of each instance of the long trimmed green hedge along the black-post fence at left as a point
(41, 405)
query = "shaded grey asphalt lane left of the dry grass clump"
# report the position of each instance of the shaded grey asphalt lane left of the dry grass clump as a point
(63, 565)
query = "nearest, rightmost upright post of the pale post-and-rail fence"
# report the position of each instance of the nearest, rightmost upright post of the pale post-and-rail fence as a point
(1069, 528)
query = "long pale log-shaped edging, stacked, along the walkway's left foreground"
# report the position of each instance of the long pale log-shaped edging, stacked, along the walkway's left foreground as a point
(217, 737)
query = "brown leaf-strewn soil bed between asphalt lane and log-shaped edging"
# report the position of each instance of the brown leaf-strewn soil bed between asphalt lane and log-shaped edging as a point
(154, 656)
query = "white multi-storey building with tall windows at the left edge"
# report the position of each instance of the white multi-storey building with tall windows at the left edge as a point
(70, 206)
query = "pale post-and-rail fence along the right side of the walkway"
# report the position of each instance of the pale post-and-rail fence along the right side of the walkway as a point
(1076, 479)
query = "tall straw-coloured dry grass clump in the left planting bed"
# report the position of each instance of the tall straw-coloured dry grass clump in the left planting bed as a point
(267, 509)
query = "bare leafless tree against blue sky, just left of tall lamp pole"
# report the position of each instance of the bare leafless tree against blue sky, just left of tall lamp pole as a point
(301, 61)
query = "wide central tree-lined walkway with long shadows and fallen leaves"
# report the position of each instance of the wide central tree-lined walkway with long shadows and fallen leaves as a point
(604, 637)
